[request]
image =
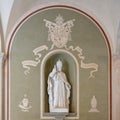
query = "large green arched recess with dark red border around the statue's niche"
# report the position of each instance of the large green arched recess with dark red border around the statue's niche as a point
(30, 35)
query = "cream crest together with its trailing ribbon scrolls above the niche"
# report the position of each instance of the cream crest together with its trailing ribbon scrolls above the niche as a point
(59, 34)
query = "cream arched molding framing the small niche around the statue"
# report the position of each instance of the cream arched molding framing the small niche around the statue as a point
(58, 51)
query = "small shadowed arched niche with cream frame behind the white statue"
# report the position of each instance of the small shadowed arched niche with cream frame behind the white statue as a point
(70, 68)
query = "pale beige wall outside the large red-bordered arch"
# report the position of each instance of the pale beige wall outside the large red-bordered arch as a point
(105, 12)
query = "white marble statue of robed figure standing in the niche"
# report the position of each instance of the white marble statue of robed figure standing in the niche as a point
(58, 89)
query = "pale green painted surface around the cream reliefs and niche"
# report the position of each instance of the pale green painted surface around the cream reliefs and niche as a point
(87, 36)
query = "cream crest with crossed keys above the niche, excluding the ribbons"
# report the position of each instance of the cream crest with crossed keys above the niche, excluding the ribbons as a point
(60, 32)
